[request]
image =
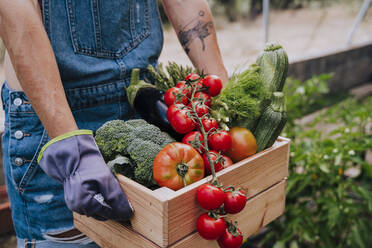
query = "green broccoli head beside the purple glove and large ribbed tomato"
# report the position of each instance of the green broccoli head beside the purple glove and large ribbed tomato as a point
(135, 139)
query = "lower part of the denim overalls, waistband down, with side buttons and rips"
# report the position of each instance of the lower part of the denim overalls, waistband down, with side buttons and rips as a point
(37, 201)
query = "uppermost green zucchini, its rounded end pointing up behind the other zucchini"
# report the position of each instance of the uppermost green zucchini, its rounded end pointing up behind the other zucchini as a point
(273, 62)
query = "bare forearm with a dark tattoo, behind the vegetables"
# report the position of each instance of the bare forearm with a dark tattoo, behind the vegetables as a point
(192, 21)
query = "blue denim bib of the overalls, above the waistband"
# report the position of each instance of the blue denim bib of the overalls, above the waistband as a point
(98, 41)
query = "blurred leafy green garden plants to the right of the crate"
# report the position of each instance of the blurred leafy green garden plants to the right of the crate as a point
(329, 190)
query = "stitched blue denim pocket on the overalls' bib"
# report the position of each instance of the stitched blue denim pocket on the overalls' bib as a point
(108, 29)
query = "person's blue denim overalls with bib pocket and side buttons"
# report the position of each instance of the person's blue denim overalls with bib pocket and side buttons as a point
(96, 44)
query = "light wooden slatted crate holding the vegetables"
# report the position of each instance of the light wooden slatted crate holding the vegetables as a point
(166, 218)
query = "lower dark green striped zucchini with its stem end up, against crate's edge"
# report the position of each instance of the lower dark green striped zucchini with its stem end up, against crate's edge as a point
(271, 122)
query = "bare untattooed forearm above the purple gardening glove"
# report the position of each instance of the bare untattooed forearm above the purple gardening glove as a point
(33, 59)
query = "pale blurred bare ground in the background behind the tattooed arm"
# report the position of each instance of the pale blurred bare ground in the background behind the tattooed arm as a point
(303, 33)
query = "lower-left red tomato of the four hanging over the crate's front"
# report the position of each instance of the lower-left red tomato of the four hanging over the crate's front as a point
(209, 227)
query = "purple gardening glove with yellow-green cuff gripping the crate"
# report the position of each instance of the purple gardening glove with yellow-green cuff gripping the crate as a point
(89, 186)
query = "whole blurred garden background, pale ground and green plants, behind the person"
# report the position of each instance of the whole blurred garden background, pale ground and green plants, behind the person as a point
(329, 105)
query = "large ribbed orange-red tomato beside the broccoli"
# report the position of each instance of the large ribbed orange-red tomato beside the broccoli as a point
(177, 165)
